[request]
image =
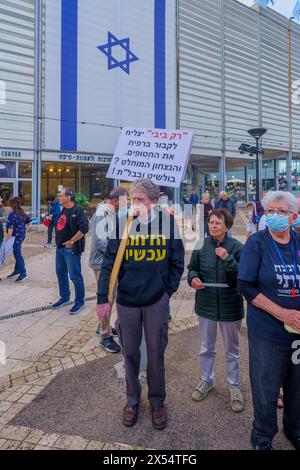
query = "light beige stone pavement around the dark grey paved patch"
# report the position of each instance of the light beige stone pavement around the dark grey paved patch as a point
(42, 345)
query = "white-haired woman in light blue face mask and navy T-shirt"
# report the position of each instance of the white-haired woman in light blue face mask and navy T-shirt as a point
(269, 278)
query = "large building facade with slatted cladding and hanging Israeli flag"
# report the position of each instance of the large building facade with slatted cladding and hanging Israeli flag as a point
(73, 74)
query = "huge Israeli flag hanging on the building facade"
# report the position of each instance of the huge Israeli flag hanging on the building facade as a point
(109, 64)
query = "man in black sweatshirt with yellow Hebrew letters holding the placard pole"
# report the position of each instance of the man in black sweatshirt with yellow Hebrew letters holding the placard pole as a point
(150, 273)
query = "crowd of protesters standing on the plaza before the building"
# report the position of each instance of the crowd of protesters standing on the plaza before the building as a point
(141, 249)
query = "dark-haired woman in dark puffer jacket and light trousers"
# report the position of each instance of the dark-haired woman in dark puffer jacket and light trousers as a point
(213, 274)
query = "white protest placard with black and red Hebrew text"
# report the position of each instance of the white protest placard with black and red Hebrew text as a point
(157, 154)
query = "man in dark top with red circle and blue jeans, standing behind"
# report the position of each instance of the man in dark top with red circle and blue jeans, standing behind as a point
(72, 226)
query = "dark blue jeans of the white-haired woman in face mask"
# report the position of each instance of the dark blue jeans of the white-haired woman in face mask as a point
(271, 367)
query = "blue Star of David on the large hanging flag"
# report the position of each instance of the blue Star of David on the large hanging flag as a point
(124, 44)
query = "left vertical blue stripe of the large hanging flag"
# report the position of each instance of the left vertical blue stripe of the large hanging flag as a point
(69, 71)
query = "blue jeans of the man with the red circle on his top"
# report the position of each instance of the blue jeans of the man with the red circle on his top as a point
(69, 264)
